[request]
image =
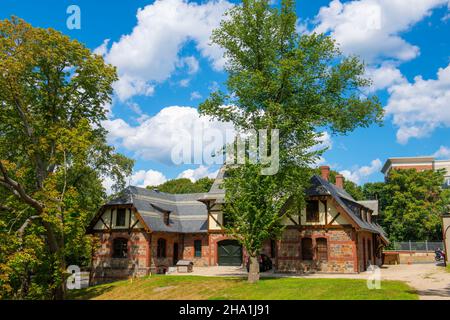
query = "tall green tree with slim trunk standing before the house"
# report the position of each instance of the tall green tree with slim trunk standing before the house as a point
(298, 84)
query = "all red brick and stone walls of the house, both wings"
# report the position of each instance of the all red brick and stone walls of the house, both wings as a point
(346, 251)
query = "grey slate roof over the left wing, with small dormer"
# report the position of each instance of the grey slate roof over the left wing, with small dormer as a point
(187, 215)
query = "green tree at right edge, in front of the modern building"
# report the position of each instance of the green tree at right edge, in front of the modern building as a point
(414, 203)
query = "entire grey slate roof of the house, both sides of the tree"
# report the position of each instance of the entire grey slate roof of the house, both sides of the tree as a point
(188, 213)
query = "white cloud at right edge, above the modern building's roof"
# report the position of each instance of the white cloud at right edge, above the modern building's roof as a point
(420, 107)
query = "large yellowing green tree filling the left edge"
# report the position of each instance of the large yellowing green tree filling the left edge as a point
(53, 153)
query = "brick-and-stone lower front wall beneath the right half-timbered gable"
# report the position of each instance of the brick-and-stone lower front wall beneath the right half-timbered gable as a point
(341, 251)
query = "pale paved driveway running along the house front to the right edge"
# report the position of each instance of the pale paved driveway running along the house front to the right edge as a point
(432, 282)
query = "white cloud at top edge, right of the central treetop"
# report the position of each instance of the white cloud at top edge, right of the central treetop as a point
(372, 28)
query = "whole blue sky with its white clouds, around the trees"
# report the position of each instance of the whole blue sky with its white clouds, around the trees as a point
(167, 68)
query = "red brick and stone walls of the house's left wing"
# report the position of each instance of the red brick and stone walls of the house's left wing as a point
(143, 257)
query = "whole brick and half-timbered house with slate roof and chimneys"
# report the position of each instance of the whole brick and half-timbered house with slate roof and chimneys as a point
(145, 231)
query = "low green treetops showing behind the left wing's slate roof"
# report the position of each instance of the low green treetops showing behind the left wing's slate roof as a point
(184, 185)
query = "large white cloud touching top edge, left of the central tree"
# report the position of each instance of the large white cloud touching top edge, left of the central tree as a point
(150, 53)
